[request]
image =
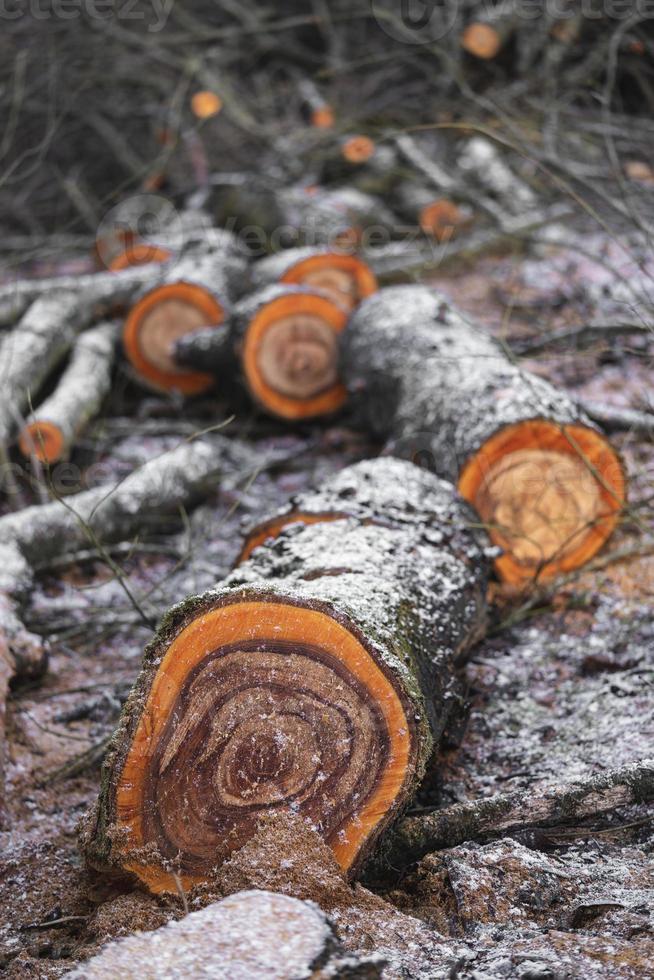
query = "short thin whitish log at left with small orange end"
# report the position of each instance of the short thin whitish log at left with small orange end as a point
(52, 429)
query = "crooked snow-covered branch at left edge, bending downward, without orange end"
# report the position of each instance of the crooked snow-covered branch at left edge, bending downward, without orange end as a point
(33, 536)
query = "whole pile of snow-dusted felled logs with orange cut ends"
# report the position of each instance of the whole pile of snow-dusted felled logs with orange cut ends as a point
(321, 673)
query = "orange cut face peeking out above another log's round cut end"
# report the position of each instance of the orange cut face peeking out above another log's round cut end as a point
(345, 278)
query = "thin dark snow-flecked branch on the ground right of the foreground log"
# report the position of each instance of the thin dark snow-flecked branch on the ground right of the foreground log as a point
(508, 813)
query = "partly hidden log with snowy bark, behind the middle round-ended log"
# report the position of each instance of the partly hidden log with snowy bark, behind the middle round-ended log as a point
(345, 278)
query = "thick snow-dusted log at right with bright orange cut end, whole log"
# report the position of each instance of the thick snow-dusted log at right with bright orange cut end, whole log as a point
(541, 476)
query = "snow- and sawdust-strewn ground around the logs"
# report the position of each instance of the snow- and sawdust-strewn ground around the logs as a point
(560, 689)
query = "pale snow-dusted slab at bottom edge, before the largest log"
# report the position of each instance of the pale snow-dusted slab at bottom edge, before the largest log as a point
(252, 934)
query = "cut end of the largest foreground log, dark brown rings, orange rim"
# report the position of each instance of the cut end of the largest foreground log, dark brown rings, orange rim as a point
(259, 704)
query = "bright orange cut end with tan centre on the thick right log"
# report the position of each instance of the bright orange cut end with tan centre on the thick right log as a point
(549, 495)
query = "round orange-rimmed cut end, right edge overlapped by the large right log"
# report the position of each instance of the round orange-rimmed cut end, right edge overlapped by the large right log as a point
(290, 356)
